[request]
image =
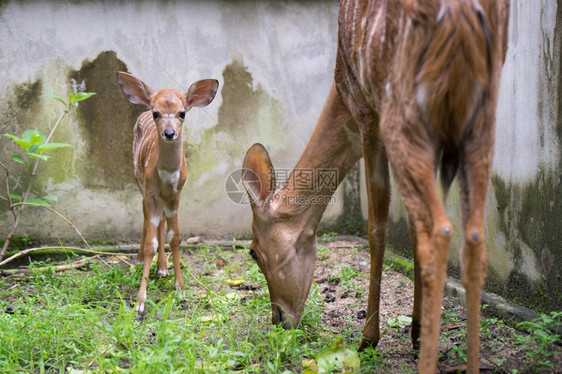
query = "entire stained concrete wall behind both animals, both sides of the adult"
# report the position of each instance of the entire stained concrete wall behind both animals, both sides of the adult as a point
(274, 61)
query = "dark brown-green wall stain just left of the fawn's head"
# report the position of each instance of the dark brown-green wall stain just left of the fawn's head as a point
(107, 120)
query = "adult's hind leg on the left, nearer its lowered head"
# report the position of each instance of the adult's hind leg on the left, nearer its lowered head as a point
(413, 164)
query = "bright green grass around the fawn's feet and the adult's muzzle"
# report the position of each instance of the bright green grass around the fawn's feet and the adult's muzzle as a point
(85, 320)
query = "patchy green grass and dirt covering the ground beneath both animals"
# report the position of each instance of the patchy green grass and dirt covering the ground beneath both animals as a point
(85, 321)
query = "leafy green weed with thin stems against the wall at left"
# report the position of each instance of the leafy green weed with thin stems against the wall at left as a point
(34, 144)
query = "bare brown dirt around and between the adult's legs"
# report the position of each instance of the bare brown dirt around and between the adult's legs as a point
(498, 351)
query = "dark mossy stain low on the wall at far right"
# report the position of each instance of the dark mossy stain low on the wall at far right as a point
(531, 215)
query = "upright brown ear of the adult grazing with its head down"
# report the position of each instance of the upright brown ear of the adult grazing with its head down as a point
(258, 176)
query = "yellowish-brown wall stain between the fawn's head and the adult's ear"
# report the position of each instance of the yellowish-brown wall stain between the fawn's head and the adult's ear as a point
(247, 114)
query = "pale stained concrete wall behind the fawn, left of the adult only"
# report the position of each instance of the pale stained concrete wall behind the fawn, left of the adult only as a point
(274, 61)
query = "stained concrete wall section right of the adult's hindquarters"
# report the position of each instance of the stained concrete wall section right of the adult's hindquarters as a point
(525, 220)
